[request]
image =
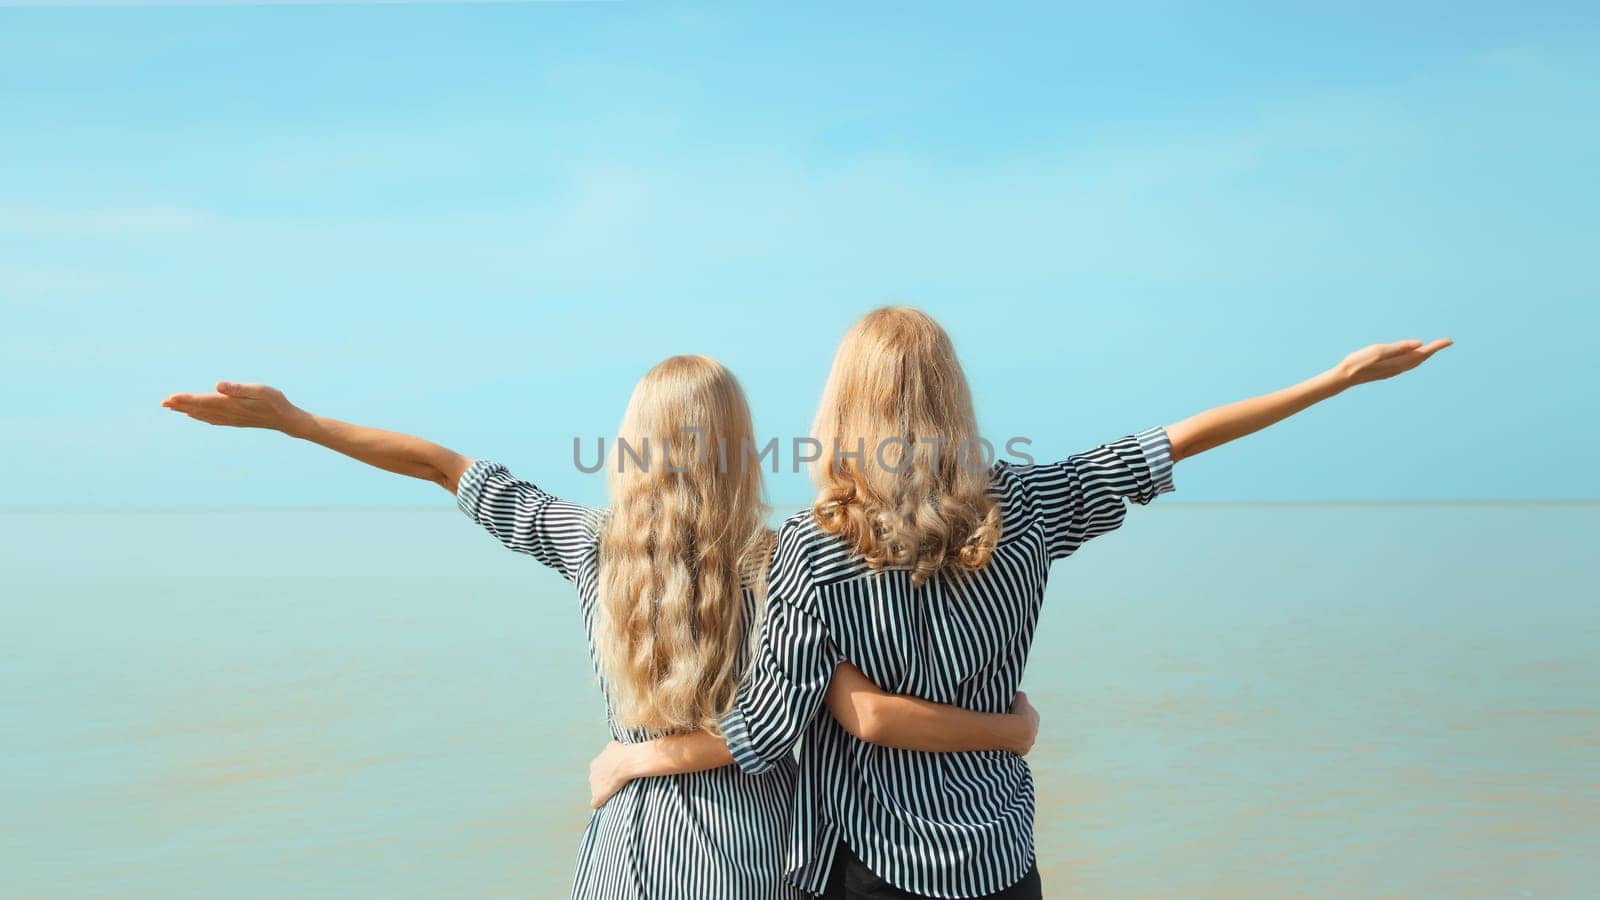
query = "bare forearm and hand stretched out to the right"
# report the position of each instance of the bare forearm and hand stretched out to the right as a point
(1215, 428)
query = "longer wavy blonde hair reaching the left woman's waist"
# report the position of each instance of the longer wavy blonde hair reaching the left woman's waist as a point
(687, 532)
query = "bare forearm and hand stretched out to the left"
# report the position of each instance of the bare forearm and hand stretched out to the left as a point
(258, 406)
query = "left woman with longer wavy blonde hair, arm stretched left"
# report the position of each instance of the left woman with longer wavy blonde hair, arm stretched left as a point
(671, 585)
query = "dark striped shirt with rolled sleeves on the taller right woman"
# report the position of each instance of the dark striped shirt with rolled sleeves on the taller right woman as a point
(932, 824)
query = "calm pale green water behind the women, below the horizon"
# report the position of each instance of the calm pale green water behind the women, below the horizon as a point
(1239, 702)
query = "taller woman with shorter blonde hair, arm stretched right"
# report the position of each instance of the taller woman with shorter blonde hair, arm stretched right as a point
(926, 565)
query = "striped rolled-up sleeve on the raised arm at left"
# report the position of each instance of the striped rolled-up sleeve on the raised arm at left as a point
(527, 520)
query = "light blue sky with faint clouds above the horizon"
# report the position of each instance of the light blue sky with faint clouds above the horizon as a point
(484, 222)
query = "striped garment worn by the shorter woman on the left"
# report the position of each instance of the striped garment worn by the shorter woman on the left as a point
(716, 834)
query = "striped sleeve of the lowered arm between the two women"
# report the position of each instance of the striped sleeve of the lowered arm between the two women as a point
(794, 665)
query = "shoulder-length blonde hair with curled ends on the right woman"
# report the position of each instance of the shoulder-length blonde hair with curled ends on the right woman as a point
(903, 476)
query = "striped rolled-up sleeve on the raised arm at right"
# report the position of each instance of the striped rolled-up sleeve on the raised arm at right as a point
(1086, 496)
